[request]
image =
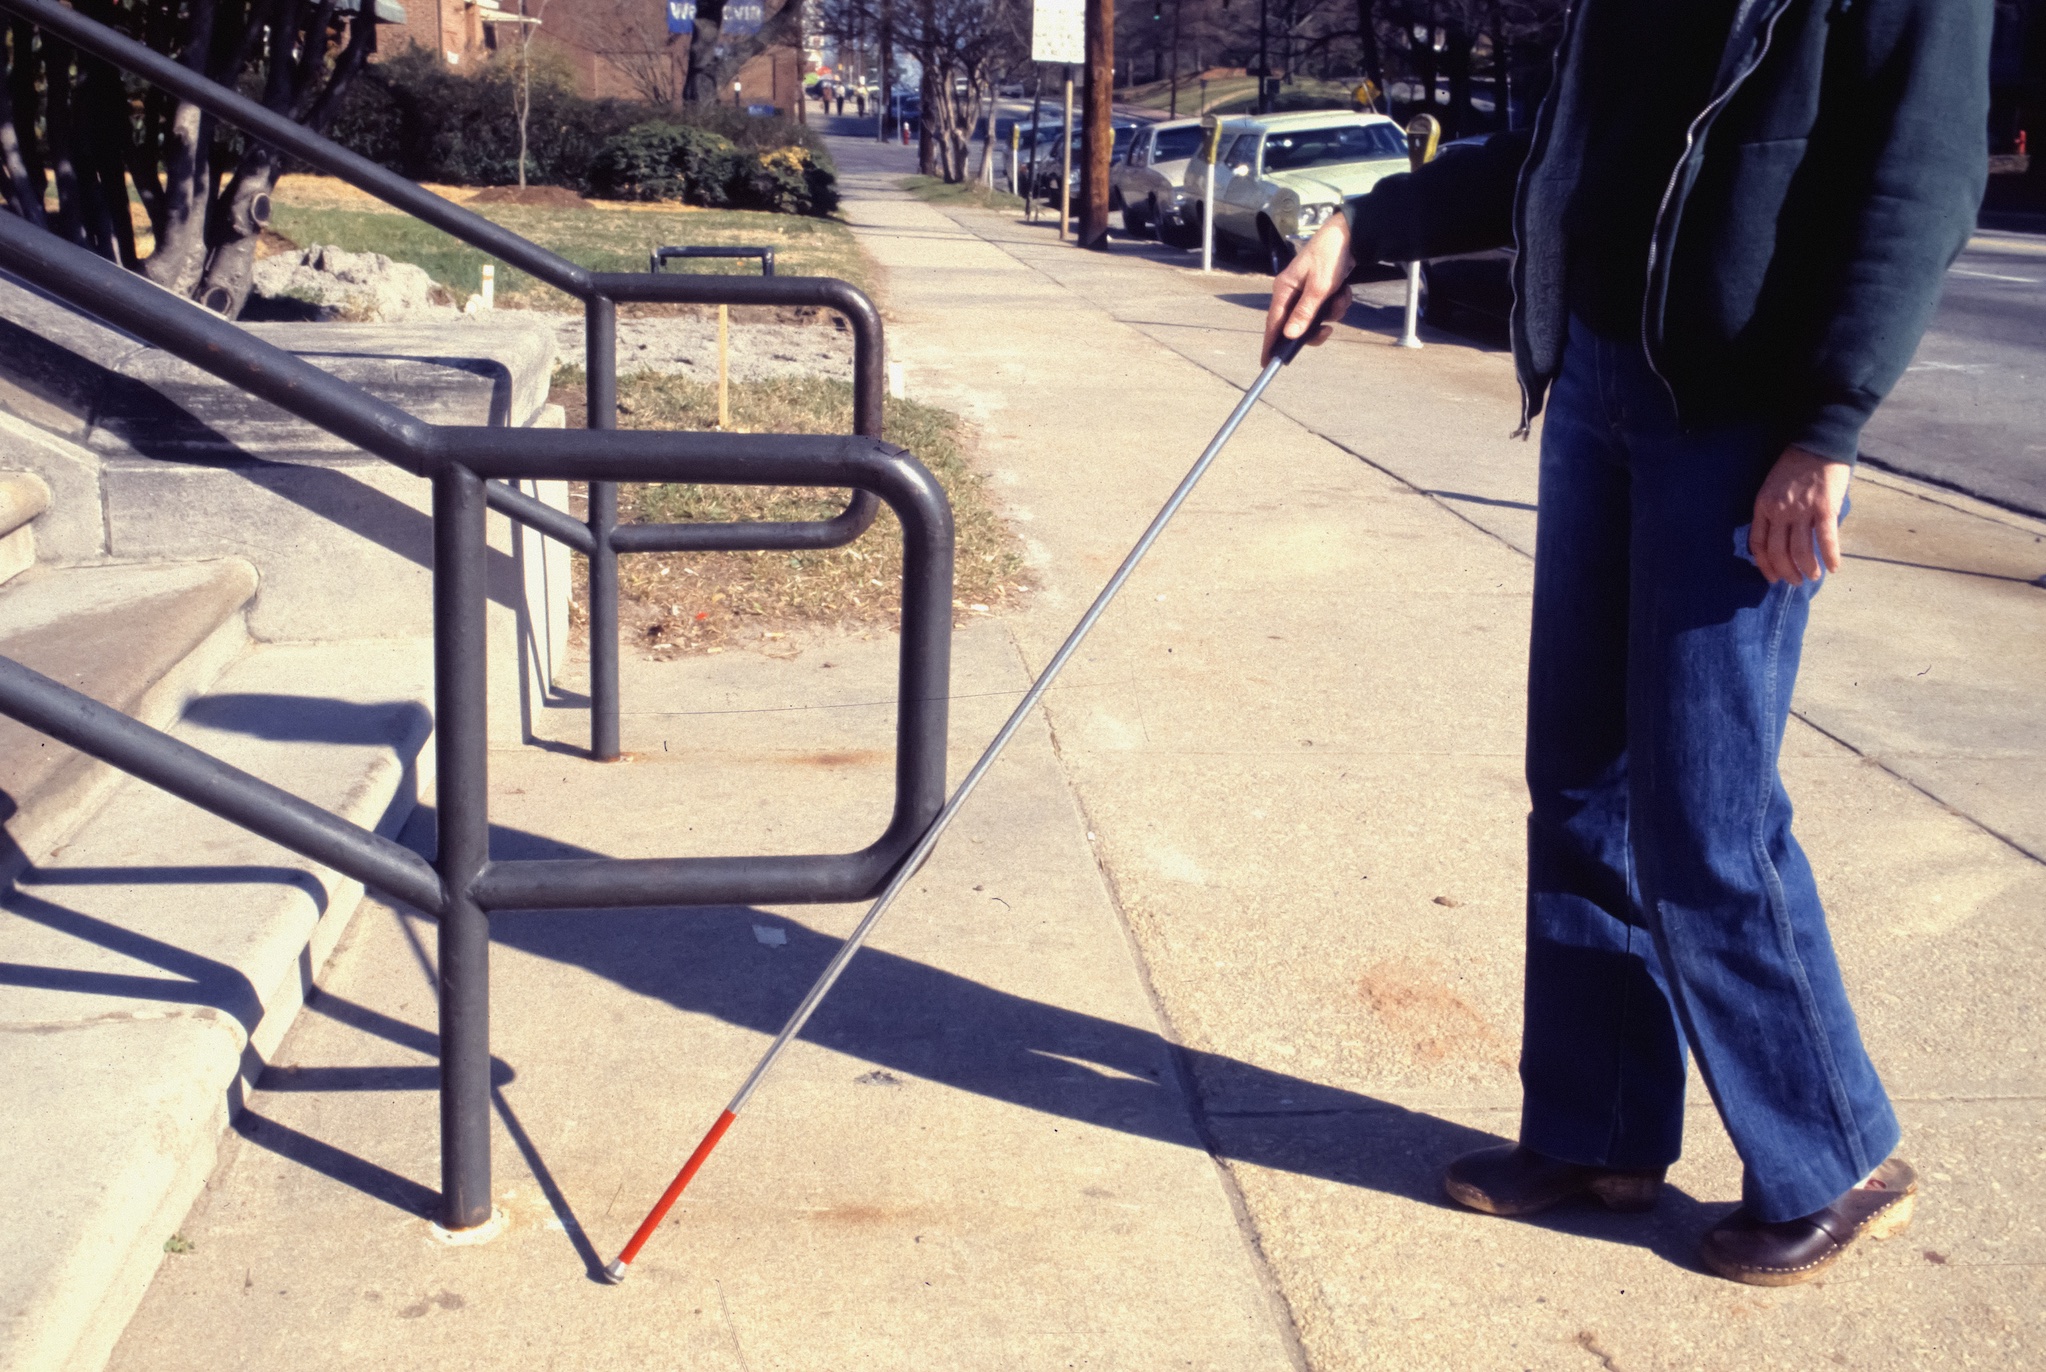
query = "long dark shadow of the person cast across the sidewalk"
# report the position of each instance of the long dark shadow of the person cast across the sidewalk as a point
(911, 1019)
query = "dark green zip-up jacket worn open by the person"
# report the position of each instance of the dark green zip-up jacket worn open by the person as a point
(1804, 234)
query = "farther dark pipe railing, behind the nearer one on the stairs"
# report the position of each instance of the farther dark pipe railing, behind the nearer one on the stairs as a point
(601, 295)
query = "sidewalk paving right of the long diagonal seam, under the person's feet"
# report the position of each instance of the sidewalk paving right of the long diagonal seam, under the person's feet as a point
(1308, 798)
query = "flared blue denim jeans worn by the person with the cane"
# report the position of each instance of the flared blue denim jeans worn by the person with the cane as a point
(1669, 903)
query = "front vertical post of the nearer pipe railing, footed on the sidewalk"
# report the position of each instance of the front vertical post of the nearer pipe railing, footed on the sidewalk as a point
(461, 737)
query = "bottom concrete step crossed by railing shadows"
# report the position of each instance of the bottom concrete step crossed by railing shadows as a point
(154, 964)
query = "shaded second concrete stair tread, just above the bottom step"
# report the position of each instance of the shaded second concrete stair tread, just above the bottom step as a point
(142, 639)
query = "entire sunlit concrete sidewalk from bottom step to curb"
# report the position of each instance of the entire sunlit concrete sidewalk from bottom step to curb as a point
(1163, 1058)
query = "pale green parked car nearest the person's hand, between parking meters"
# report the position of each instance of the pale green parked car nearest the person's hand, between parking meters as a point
(1282, 177)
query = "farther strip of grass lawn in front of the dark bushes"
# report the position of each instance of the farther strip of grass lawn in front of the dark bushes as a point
(605, 236)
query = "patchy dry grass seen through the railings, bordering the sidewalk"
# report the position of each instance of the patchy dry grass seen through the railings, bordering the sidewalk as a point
(703, 602)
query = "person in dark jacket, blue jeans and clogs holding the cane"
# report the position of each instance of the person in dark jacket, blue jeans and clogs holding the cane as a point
(1732, 222)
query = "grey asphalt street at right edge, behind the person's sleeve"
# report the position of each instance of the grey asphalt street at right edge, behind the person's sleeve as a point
(1971, 412)
